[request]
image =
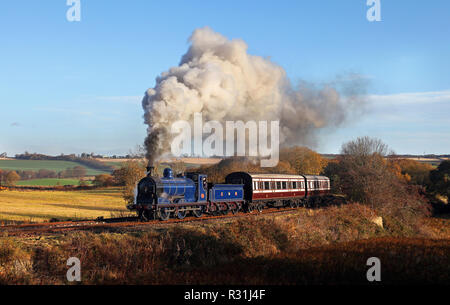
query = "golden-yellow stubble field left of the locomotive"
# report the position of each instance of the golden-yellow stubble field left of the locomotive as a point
(38, 206)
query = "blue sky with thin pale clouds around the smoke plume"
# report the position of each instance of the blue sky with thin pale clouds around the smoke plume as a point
(76, 86)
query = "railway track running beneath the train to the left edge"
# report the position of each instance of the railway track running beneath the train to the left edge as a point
(122, 222)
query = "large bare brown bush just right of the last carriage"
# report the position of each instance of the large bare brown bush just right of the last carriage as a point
(362, 173)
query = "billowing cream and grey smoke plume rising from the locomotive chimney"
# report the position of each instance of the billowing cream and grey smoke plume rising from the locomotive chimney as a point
(218, 78)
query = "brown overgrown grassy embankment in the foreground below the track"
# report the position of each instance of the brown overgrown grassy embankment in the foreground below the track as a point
(305, 247)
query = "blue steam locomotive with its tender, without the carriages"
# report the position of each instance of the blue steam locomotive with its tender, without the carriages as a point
(159, 198)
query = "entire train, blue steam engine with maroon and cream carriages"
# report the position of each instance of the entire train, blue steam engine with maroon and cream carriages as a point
(169, 196)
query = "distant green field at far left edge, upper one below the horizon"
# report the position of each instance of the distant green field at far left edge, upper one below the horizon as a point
(36, 165)
